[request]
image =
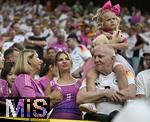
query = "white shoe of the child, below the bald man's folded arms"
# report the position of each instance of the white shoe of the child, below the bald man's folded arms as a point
(88, 107)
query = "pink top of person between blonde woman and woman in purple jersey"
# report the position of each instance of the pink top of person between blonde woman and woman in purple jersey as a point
(43, 82)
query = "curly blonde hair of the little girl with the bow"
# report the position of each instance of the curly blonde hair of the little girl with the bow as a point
(99, 17)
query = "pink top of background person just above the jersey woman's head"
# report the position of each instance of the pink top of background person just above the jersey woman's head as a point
(60, 46)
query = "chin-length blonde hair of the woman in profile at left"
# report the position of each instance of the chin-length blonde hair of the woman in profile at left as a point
(22, 63)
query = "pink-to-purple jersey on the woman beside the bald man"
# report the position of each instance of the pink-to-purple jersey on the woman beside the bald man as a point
(67, 108)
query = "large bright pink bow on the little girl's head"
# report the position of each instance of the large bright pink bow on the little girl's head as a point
(115, 8)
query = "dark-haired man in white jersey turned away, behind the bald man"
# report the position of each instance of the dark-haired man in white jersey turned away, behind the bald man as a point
(79, 54)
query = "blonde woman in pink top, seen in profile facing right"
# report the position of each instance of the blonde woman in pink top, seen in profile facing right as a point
(27, 65)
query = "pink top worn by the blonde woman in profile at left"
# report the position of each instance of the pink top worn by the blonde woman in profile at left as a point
(26, 86)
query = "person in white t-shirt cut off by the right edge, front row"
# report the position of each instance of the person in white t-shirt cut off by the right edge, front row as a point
(143, 80)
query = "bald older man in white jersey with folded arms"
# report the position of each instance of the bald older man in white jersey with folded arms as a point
(108, 98)
